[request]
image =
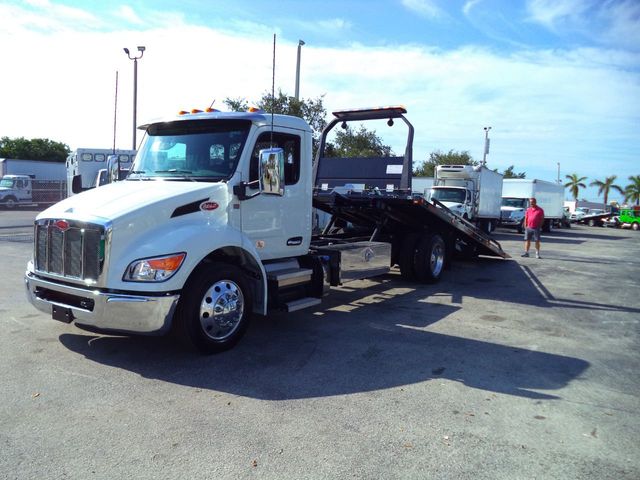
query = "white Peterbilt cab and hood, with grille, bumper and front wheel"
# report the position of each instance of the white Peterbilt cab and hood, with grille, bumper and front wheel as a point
(192, 221)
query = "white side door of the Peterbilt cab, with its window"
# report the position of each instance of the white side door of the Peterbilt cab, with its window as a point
(279, 226)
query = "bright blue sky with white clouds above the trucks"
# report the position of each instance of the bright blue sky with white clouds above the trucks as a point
(557, 80)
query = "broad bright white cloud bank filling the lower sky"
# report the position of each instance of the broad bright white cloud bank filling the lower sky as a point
(578, 107)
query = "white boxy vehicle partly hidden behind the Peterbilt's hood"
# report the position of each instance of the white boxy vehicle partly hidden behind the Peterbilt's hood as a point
(91, 165)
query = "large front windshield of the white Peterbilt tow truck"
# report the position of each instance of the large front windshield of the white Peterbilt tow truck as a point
(193, 150)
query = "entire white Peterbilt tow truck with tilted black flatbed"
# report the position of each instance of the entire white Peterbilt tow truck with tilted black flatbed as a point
(214, 224)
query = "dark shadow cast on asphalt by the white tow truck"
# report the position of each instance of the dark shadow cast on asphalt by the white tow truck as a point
(360, 340)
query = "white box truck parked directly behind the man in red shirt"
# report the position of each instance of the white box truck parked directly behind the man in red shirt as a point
(516, 193)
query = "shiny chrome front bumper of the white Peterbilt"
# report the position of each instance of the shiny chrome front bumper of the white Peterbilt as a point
(141, 314)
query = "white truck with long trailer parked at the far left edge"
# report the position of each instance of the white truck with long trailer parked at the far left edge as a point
(31, 182)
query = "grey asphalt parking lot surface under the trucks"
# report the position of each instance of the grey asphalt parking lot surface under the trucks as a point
(512, 369)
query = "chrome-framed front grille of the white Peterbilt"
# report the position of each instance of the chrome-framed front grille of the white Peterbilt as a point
(77, 252)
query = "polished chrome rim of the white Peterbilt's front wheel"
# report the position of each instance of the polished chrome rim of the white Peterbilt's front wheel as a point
(221, 309)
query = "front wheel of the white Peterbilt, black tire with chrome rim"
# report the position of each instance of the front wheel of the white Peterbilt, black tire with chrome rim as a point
(215, 308)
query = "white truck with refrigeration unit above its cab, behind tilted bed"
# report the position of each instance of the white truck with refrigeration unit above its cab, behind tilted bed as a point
(472, 192)
